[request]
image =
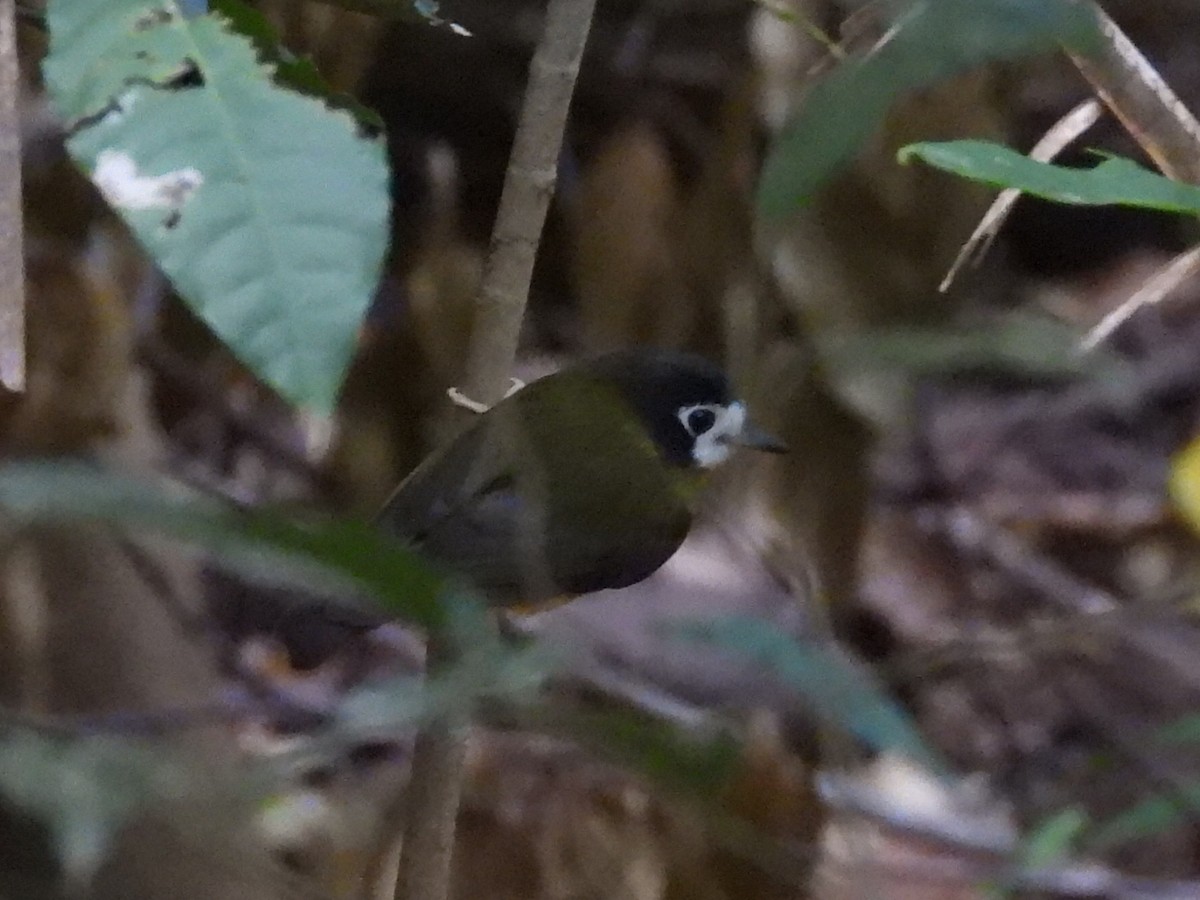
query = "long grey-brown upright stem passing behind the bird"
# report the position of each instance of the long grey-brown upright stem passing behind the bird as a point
(440, 755)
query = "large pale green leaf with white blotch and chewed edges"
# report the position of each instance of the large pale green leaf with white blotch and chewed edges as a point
(267, 209)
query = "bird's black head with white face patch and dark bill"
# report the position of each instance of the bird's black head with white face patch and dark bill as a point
(686, 403)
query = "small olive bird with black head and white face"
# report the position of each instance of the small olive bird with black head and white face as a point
(580, 482)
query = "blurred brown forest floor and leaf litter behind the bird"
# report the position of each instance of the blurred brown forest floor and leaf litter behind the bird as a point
(994, 536)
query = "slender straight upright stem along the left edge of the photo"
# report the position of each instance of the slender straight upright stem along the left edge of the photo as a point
(13, 255)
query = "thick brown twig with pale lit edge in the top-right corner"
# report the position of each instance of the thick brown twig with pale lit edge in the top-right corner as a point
(1150, 111)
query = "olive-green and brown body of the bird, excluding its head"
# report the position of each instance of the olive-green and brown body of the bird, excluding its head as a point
(556, 490)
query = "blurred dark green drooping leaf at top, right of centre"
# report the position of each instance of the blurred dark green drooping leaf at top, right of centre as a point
(929, 43)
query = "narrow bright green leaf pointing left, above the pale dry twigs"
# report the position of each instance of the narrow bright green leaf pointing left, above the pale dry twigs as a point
(1115, 182)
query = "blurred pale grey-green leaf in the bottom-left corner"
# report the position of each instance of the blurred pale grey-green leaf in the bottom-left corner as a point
(82, 790)
